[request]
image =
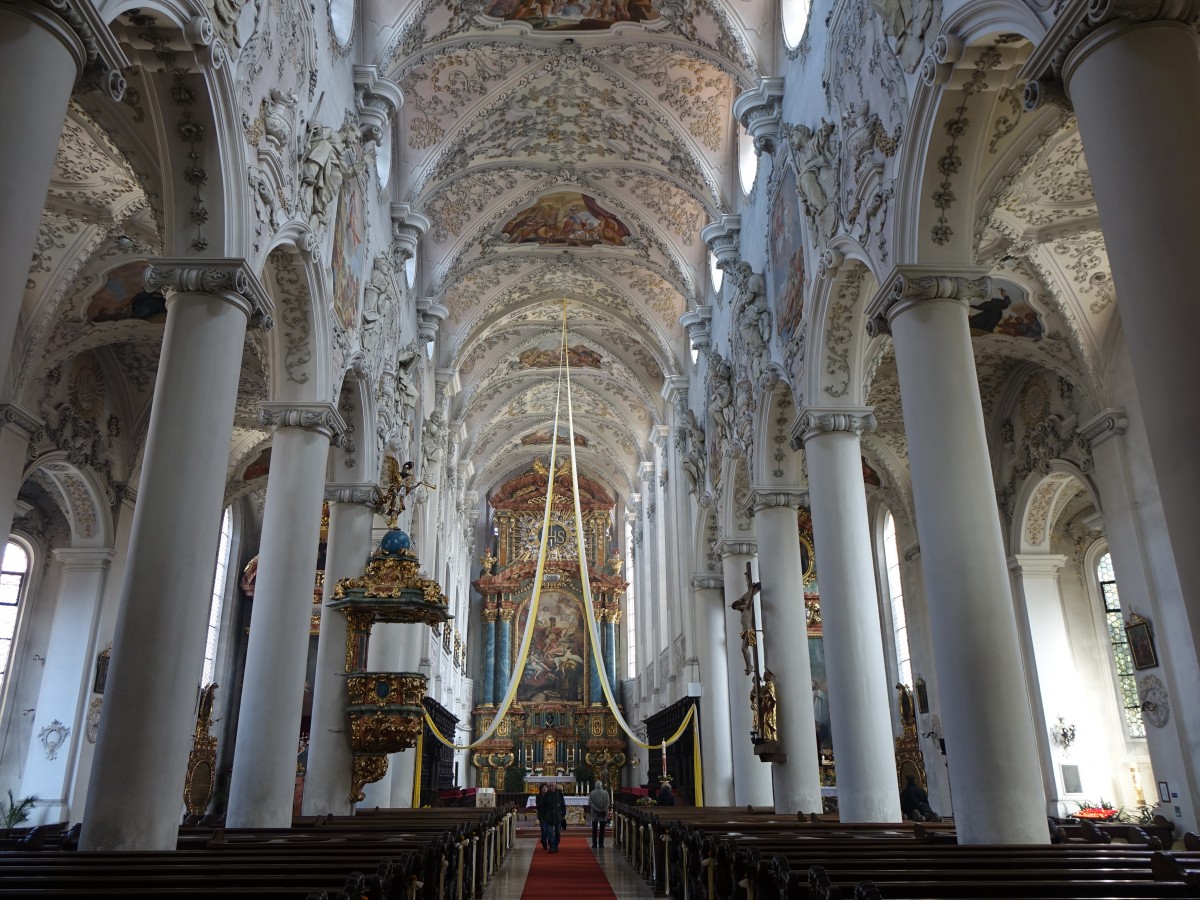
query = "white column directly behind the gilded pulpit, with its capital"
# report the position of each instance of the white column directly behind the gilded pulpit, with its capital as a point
(327, 788)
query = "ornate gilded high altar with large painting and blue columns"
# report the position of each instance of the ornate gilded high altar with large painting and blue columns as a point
(560, 722)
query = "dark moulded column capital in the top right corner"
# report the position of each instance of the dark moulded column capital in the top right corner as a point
(1082, 26)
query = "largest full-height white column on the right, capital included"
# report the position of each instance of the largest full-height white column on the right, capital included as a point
(999, 797)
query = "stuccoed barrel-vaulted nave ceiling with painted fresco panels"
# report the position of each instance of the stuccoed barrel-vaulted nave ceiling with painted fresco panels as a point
(567, 151)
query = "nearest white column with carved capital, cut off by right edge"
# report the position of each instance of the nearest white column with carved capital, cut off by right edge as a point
(1133, 85)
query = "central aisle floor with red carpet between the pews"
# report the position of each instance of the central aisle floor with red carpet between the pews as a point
(577, 872)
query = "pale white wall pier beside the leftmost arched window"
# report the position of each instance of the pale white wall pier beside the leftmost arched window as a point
(62, 701)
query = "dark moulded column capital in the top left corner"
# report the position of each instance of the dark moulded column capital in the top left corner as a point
(87, 37)
